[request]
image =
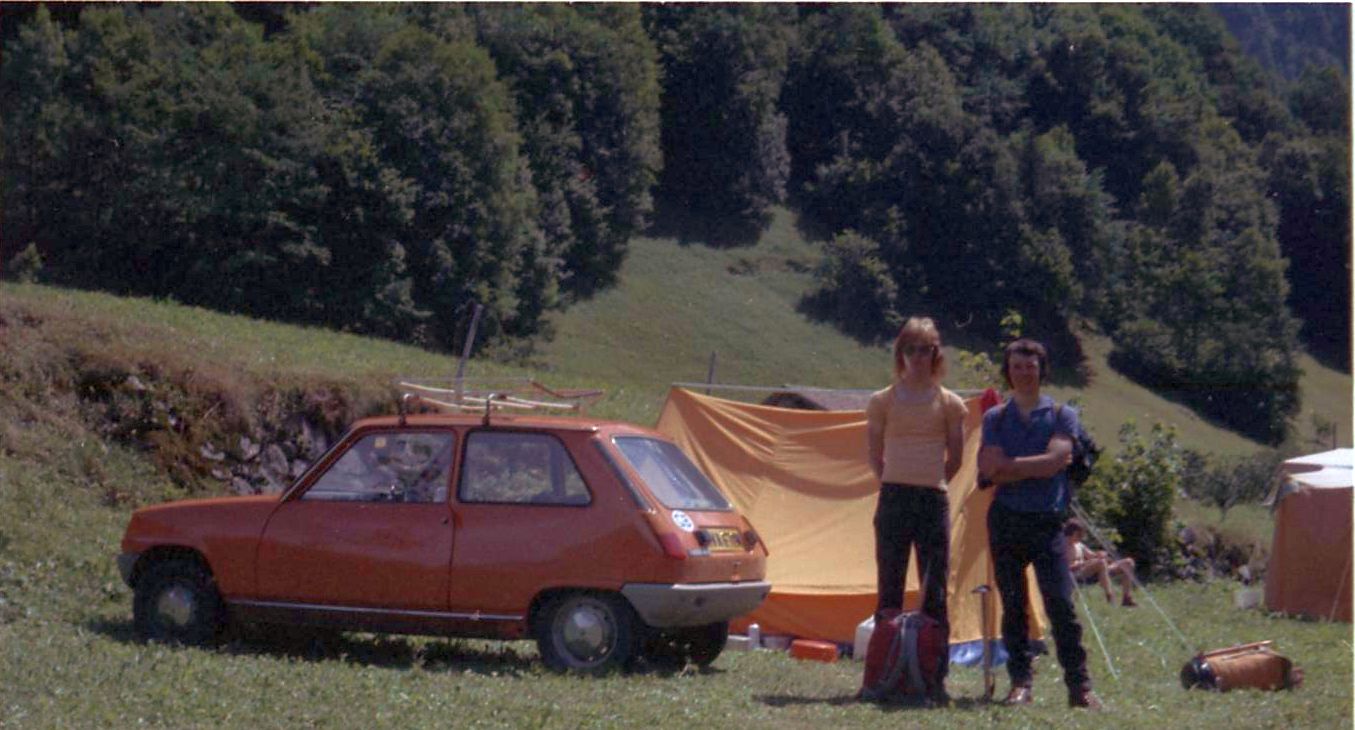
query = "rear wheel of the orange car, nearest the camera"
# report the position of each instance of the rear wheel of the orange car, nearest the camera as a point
(587, 633)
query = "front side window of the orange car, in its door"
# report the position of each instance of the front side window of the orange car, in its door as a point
(390, 467)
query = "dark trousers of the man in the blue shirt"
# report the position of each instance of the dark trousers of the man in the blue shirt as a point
(1018, 540)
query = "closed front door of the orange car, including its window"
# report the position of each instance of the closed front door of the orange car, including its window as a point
(375, 530)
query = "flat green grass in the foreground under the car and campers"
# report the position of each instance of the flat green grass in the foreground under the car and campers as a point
(68, 659)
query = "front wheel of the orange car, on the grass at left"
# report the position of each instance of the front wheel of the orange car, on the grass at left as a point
(177, 602)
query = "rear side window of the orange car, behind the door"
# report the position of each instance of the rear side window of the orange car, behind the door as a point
(510, 468)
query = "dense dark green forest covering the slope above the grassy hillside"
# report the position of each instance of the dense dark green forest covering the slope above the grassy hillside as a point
(1173, 175)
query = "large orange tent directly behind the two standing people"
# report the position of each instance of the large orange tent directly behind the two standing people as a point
(801, 477)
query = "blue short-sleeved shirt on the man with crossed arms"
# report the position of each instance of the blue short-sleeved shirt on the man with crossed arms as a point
(1003, 427)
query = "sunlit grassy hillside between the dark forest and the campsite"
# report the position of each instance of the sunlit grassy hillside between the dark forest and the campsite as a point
(674, 307)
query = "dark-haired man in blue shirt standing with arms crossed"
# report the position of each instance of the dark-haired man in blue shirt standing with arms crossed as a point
(1028, 445)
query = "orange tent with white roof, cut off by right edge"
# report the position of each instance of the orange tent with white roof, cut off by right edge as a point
(1310, 570)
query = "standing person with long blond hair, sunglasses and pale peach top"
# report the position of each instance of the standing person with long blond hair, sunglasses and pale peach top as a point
(917, 441)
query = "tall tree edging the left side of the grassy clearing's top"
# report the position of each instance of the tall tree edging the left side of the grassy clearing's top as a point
(586, 86)
